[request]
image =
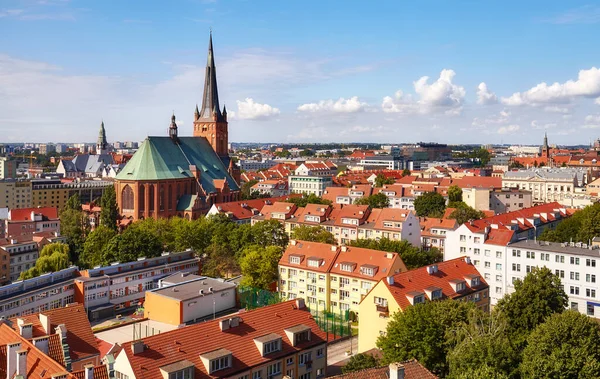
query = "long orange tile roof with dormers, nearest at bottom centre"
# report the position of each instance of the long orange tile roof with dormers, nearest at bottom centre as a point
(192, 341)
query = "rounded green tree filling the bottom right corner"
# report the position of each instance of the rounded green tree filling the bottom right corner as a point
(566, 346)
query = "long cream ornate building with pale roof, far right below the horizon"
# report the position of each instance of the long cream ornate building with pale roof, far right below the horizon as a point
(546, 184)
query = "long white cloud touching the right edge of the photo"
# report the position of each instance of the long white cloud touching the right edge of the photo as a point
(586, 85)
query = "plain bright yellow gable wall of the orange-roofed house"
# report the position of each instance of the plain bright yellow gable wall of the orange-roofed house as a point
(375, 317)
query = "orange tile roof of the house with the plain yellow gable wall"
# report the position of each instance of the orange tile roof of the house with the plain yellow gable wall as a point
(419, 279)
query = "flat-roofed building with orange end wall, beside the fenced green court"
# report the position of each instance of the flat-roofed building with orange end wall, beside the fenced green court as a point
(185, 298)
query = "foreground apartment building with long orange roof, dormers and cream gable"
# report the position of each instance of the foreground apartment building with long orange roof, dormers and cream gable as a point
(269, 342)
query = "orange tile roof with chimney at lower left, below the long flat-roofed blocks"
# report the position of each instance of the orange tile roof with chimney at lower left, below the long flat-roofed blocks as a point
(80, 338)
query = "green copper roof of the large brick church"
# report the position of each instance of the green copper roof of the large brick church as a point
(159, 158)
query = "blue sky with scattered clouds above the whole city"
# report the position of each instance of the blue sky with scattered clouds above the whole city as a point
(306, 71)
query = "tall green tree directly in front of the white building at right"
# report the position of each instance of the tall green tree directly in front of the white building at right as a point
(535, 298)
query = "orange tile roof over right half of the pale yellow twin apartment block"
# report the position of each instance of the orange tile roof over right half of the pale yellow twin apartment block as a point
(360, 258)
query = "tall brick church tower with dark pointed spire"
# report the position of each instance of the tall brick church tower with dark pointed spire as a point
(209, 121)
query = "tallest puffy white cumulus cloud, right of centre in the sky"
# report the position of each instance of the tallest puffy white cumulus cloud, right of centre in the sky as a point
(441, 95)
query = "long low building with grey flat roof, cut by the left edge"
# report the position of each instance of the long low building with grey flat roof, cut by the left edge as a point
(40, 294)
